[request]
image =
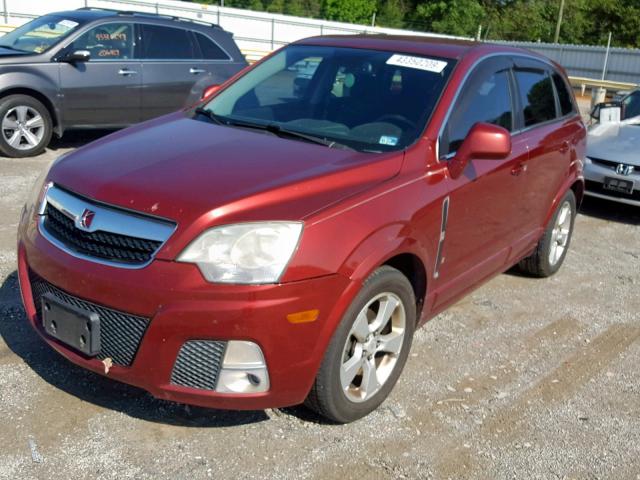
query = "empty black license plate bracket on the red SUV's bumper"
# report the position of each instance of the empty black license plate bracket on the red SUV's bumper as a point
(71, 325)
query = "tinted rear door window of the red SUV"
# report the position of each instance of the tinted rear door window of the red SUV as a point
(536, 96)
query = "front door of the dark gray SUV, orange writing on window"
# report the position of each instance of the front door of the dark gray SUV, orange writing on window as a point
(105, 91)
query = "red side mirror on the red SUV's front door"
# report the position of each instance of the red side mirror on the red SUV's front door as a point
(483, 142)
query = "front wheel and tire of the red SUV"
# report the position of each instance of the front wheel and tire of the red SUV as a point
(350, 348)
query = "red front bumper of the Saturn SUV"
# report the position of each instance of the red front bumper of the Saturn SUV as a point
(181, 306)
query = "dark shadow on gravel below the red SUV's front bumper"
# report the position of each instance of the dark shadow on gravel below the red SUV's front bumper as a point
(90, 387)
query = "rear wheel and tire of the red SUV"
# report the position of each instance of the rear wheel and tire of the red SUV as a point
(554, 244)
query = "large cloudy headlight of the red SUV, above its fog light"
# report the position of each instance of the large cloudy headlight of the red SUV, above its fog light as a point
(245, 252)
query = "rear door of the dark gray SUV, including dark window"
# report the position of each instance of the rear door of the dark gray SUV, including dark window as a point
(170, 68)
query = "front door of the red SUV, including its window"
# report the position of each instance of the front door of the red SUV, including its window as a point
(485, 200)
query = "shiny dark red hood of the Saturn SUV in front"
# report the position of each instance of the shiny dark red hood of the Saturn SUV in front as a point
(189, 170)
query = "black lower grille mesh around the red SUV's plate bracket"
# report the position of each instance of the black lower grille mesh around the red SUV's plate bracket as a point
(120, 333)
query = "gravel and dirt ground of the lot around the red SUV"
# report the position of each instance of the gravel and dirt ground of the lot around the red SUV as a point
(522, 379)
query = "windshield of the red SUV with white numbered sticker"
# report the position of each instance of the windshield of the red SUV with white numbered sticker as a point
(368, 100)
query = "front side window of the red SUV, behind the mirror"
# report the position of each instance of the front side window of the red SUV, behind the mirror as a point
(486, 98)
